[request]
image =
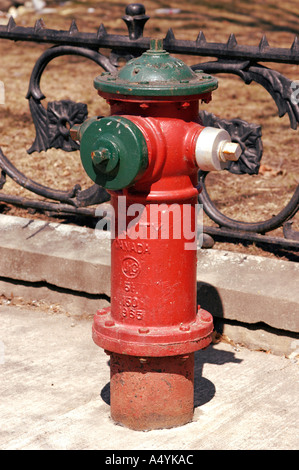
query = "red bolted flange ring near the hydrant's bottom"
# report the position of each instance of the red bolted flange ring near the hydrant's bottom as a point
(152, 341)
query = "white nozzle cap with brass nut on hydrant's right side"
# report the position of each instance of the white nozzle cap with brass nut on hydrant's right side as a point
(214, 149)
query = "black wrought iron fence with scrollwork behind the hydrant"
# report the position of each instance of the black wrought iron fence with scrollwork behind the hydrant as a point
(52, 124)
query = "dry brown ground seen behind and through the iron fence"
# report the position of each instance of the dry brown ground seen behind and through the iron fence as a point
(248, 198)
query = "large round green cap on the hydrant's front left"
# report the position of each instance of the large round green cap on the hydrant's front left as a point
(113, 151)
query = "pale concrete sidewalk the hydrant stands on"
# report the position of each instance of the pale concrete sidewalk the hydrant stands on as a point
(55, 393)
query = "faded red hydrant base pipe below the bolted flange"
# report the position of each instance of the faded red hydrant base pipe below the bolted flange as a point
(152, 393)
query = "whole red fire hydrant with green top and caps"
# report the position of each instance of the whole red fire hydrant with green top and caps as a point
(148, 153)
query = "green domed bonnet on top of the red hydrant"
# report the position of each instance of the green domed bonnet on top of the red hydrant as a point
(155, 73)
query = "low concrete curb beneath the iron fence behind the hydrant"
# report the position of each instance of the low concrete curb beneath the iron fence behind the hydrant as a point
(70, 265)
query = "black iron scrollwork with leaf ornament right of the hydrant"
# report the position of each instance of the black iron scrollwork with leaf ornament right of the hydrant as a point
(279, 87)
